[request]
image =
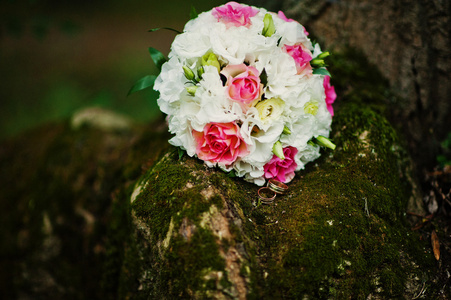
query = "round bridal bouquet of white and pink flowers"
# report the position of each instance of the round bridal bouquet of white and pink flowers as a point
(245, 90)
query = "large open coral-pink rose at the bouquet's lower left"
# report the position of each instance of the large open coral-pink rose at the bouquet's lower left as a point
(220, 142)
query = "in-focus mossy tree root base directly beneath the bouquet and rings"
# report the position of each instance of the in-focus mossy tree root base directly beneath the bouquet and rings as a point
(340, 231)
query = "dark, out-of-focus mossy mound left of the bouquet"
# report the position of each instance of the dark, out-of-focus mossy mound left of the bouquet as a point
(62, 216)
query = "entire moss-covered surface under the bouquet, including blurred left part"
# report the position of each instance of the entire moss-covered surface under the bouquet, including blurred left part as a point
(114, 213)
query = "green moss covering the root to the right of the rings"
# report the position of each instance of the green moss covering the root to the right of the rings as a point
(343, 226)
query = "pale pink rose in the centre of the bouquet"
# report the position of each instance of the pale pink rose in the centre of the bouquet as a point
(243, 84)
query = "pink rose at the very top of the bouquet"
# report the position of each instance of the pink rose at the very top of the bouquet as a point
(234, 14)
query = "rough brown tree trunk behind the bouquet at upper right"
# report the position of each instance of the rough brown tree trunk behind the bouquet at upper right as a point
(408, 41)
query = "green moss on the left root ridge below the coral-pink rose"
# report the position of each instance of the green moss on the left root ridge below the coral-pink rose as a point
(186, 264)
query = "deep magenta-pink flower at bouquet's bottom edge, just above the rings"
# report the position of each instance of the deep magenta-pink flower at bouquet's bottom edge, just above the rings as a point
(282, 170)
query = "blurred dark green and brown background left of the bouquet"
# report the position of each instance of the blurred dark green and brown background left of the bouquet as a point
(59, 56)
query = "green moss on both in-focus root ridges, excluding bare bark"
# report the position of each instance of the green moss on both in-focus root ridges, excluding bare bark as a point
(338, 233)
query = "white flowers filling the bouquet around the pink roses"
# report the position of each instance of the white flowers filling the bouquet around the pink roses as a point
(287, 100)
